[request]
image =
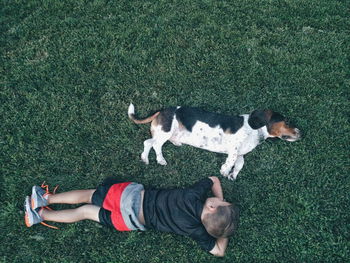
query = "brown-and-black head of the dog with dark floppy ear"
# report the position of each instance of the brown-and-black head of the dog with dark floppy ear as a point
(276, 124)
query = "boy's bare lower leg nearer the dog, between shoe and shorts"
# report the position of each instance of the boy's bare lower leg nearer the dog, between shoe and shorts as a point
(72, 197)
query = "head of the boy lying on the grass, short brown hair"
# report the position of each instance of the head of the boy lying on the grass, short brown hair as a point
(219, 218)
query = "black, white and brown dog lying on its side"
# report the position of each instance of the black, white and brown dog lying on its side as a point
(232, 135)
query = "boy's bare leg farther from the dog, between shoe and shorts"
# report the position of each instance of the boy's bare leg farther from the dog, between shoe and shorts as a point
(72, 215)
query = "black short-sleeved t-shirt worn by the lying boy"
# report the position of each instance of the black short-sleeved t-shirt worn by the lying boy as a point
(179, 211)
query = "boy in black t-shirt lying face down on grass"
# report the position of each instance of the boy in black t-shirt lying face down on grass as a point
(127, 206)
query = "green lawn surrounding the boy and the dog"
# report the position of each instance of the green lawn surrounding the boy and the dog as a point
(69, 69)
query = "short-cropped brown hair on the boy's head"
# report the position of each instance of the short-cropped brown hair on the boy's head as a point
(222, 223)
